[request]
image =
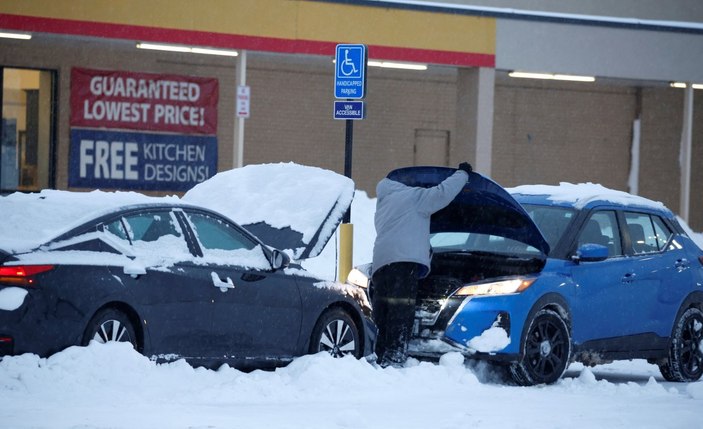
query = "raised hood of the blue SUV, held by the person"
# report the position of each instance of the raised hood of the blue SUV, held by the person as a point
(482, 207)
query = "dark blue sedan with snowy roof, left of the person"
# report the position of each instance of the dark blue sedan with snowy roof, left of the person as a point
(177, 281)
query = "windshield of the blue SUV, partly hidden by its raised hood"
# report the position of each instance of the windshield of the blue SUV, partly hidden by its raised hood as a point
(552, 222)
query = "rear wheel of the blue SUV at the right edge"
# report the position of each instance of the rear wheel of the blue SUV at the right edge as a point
(685, 360)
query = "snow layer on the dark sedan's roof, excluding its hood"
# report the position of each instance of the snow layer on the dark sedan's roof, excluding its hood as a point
(30, 220)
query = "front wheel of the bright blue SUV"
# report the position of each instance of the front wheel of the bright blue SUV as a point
(546, 351)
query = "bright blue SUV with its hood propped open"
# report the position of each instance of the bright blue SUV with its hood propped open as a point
(547, 275)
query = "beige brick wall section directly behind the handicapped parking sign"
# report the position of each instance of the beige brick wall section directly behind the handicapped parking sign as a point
(291, 117)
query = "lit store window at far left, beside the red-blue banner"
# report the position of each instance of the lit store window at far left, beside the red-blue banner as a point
(26, 130)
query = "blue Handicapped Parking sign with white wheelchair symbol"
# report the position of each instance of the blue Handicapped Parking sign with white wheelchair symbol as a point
(350, 72)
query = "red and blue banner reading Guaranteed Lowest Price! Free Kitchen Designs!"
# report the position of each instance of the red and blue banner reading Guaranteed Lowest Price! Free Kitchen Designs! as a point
(142, 131)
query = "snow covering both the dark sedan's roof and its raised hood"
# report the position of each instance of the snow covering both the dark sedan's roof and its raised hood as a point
(282, 195)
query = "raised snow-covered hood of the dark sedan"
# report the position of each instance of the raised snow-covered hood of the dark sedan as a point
(288, 206)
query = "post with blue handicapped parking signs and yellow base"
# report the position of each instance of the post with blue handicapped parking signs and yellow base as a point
(349, 85)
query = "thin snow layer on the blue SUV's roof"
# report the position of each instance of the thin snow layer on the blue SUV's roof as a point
(581, 194)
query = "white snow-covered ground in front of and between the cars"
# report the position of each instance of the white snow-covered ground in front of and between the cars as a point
(112, 386)
